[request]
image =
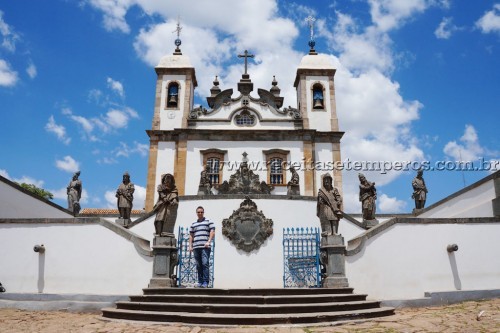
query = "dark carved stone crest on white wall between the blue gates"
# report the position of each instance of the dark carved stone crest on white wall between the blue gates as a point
(247, 228)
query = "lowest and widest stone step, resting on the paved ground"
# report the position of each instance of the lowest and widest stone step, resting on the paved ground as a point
(246, 319)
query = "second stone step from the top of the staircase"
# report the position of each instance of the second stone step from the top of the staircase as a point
(245, 299)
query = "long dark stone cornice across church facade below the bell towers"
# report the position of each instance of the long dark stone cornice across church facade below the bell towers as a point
(244, 135)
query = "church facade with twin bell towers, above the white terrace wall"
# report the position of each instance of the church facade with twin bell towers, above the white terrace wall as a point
(248, 126)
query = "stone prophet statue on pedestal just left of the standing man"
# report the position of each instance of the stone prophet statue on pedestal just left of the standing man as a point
(167, 205)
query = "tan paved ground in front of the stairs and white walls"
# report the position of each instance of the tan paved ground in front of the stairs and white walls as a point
(483, 316)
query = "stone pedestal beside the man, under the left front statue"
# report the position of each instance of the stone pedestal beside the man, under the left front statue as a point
(165, 259)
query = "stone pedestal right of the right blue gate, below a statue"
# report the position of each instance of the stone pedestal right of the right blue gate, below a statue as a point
(332, 250)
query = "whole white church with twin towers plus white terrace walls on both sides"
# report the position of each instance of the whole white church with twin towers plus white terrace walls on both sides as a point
(91, 261)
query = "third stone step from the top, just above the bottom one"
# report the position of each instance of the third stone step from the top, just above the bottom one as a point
(248, 308)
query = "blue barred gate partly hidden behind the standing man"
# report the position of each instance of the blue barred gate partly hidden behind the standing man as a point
(187, 275)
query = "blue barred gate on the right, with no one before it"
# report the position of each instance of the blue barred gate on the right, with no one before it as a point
(301, 258)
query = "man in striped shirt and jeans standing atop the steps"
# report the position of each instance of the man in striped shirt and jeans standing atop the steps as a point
(201, 233)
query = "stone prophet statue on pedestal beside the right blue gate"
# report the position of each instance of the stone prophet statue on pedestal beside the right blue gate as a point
(329, 207)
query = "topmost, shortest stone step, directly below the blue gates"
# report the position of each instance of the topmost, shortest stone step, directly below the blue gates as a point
(247, 291)
